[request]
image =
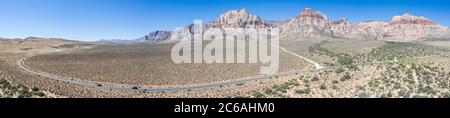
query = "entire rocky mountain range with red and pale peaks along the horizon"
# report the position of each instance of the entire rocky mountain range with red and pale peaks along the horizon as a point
(313, 24)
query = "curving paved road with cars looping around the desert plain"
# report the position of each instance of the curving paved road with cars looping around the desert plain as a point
(20, 63)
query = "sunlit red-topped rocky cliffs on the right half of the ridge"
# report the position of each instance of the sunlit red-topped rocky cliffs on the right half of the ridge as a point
(313, 24)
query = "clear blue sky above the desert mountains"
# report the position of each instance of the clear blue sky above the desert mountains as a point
(90, 20)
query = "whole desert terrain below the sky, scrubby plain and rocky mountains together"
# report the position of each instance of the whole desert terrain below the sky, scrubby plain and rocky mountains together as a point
(407, 57)
